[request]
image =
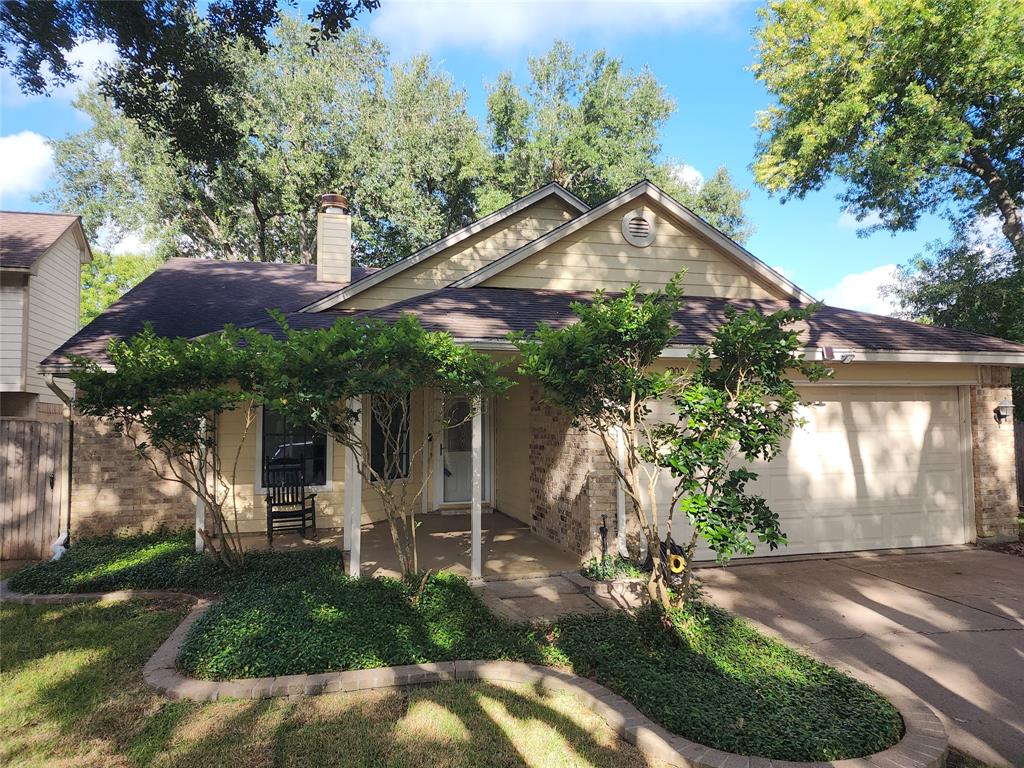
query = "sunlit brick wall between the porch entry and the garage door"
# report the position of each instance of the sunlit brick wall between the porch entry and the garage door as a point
(572, 483)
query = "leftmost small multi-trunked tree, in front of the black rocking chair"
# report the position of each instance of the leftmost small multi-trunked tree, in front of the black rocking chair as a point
(165, 397)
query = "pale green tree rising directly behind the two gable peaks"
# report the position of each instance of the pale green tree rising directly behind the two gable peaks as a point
(593, 126)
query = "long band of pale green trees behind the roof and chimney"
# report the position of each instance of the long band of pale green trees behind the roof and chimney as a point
(397, 139)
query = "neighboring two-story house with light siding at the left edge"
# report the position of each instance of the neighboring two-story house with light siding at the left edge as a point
(41, 255)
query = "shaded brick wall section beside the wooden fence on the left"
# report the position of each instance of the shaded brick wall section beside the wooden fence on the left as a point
(114, 492)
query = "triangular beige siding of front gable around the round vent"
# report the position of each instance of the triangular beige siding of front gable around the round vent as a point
(599, 257)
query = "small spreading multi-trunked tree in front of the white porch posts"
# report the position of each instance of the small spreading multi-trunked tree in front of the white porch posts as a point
(321, 377)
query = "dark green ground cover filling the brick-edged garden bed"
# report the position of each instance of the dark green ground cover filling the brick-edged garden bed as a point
(707, 675)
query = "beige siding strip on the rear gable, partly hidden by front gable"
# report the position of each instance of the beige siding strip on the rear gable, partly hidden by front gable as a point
(468, 257)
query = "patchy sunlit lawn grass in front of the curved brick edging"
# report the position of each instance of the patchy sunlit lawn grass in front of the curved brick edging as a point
(72, 695)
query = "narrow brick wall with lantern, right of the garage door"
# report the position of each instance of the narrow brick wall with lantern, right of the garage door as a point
(993, 451)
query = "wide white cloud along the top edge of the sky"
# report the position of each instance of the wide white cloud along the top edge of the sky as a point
(410, 26)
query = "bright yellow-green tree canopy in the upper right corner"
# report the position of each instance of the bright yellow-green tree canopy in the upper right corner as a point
(916, 105)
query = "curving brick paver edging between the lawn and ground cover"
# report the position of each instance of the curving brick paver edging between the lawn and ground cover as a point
(924, 744)
